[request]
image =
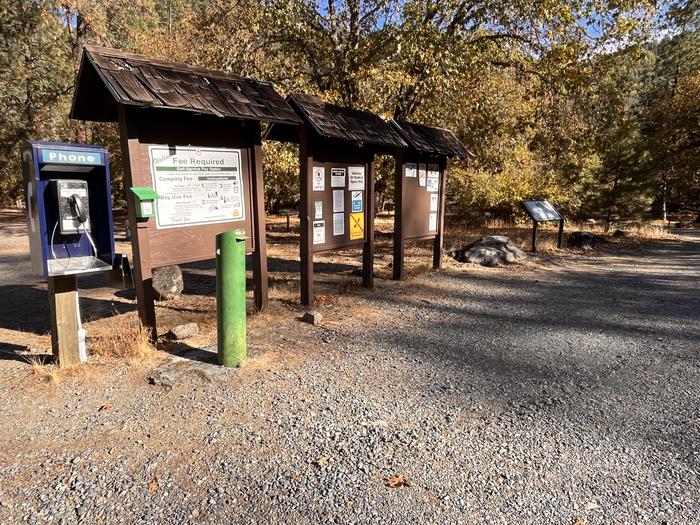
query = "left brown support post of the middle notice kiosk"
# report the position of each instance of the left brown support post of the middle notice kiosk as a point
(306, 256)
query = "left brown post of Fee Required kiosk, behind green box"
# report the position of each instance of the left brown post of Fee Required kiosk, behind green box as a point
(131, 162)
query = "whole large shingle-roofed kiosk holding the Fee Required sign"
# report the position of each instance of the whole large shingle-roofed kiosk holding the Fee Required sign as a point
(192, 137)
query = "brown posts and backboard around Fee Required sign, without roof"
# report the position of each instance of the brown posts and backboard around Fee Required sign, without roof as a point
(153, 248)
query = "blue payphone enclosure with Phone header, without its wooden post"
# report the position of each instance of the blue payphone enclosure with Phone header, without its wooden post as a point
(69, 208)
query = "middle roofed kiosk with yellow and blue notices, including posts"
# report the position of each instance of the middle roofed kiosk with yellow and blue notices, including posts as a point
(336, 167)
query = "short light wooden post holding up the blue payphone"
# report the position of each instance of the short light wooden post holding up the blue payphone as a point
(63, 301)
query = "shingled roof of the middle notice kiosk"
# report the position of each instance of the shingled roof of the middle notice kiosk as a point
(338, 123)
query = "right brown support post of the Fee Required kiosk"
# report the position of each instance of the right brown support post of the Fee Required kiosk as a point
(258, 198)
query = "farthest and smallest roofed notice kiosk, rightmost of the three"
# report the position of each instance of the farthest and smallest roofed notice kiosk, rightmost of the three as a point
(420, 188)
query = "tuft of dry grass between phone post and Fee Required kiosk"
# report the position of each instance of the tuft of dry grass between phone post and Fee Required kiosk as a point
(124, 339)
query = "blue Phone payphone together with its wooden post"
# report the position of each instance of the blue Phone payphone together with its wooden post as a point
(71, 230)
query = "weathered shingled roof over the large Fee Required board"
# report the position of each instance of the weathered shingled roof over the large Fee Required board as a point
(109, 77)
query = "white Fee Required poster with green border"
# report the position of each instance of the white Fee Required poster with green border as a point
(196, 186)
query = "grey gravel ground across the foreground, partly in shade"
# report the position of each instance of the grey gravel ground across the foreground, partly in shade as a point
(530, 395)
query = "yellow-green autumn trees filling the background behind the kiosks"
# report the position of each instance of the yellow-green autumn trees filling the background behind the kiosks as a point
(583, 103)
